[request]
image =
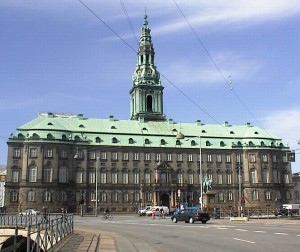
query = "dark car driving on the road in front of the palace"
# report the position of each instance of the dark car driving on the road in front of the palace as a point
(190, 215)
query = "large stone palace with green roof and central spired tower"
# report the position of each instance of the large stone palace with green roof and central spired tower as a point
(63, 160)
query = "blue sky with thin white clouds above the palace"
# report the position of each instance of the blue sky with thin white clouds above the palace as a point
(57, 56)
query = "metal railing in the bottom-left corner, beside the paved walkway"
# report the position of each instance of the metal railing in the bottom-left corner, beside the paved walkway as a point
(34, 232)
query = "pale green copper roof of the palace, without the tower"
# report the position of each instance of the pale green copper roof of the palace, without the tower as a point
(51, 127)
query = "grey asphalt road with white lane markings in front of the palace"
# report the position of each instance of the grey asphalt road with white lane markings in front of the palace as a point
(145, 234)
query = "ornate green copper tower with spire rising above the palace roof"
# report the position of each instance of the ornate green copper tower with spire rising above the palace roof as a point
(146, 94)
